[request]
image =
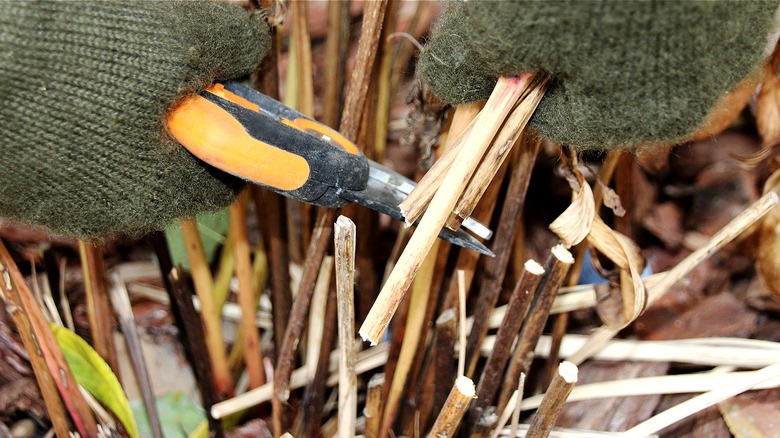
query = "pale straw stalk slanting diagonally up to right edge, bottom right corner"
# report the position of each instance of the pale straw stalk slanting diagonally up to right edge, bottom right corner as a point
(700, 402)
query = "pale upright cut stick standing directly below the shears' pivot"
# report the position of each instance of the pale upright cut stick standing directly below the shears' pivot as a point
(344, 230)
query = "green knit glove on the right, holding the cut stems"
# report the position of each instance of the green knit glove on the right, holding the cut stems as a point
(625, 73)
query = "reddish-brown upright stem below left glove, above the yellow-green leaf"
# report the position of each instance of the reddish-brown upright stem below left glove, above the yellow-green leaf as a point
(98, 305)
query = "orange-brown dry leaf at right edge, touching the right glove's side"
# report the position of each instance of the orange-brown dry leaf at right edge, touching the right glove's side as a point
(768, 103)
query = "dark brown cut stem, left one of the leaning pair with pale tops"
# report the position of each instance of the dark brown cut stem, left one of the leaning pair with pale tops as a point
(517, 308)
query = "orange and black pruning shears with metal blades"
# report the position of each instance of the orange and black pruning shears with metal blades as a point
(254, 137)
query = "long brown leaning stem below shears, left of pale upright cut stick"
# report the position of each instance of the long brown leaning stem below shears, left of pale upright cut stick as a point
(300, 309)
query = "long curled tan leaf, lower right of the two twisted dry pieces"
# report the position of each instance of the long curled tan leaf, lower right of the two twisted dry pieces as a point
(625, 255)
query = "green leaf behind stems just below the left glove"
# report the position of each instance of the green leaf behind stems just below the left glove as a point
(213, 228)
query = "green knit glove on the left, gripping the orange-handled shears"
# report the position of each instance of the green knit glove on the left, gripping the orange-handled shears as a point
(85, 87)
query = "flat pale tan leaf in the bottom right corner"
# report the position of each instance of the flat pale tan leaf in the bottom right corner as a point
(748, 418)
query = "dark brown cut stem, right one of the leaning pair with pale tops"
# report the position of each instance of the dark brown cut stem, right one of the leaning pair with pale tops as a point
(537, 317)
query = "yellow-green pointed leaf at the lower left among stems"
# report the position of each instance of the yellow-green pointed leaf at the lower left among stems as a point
(94, 374)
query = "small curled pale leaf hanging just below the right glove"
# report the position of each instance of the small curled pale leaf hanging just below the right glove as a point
(573, 225)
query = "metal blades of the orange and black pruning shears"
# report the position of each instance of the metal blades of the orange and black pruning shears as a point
(385, 191)
